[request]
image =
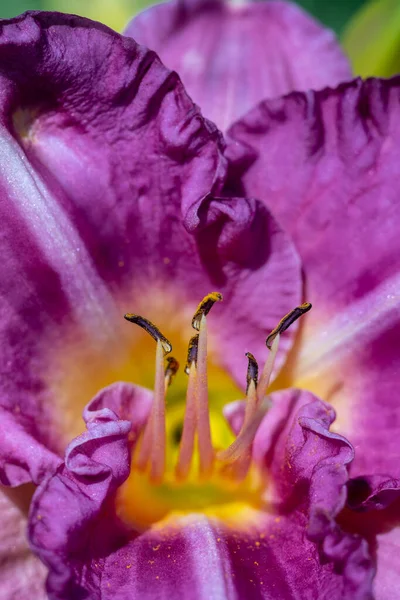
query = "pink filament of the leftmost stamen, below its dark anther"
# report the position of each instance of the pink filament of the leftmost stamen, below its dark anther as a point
(158, 419)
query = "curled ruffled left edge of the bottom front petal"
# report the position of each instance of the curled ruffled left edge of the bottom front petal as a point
(99, 460)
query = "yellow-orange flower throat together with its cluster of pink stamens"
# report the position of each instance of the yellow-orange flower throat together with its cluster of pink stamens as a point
(203, 476)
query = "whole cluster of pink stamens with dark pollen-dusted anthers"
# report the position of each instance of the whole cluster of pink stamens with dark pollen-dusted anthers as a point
(235, 460)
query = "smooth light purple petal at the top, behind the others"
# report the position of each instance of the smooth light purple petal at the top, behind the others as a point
(232, 55)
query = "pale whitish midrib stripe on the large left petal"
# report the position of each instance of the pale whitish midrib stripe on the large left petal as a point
(59, 241)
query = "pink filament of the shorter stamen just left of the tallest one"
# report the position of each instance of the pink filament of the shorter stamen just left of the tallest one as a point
(189, 427)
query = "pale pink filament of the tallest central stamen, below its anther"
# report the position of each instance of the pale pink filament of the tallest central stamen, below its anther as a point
(206, 452)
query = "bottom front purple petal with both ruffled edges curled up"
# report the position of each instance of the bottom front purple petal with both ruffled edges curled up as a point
(292, 549)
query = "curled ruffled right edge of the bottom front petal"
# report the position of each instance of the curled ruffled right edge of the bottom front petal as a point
(294, 432)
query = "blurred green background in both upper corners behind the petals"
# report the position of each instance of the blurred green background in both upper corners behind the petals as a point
(369, 30)
